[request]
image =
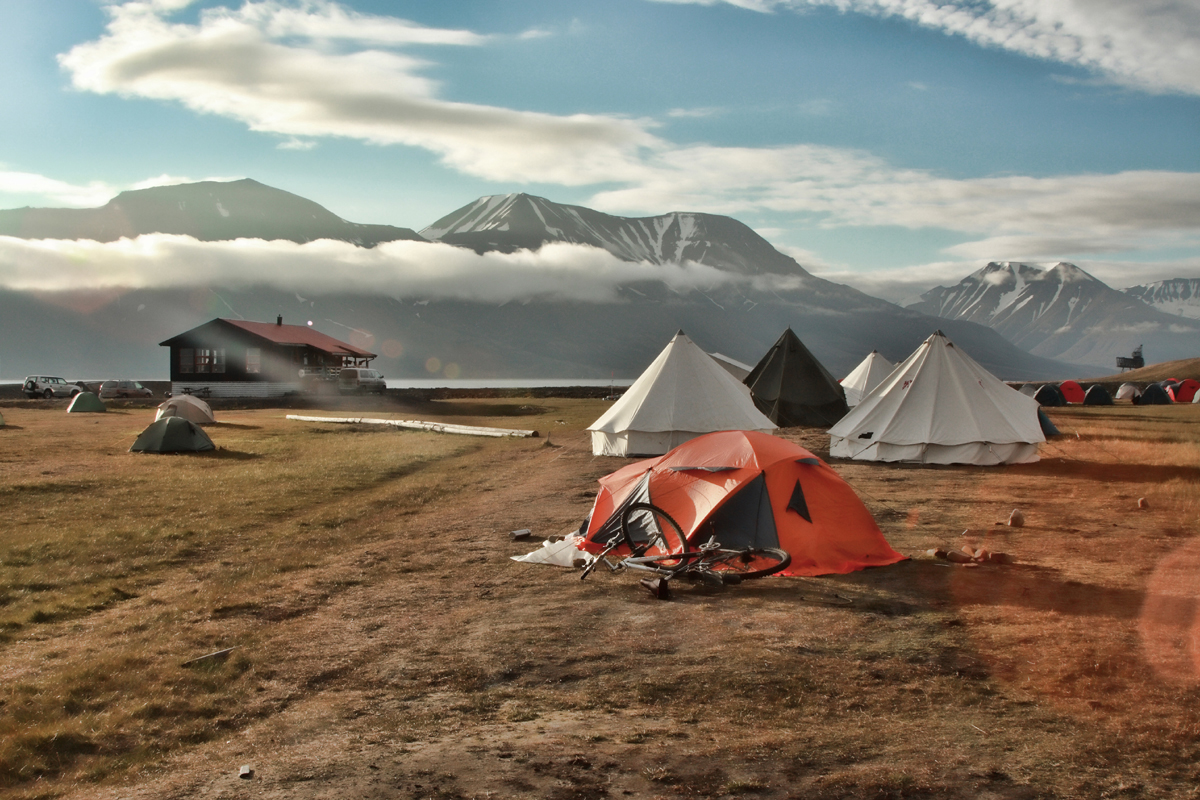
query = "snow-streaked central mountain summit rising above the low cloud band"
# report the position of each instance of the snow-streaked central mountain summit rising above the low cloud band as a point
(509, 222)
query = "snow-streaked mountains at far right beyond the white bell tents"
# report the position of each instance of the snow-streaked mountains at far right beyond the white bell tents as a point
(1063, 314)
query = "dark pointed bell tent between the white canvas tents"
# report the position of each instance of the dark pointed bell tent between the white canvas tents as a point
(791, 387)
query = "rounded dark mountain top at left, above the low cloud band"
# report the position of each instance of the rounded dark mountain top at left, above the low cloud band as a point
(209, 212)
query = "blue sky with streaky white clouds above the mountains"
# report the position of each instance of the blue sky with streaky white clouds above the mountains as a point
(890, 145)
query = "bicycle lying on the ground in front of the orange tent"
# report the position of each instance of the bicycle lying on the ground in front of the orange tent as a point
(668, 555)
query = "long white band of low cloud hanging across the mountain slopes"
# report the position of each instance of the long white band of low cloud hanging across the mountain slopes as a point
(400, 269)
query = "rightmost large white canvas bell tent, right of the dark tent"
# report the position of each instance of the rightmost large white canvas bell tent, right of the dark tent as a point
(940, 407)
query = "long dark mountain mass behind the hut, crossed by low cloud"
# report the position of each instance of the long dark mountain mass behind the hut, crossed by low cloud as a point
(116, 334)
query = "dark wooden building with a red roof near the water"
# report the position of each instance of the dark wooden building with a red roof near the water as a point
(236, 358)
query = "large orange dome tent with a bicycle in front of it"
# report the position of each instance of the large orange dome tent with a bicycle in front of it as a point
(749, 490)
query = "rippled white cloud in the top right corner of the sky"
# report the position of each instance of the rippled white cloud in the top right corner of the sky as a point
(1150, 45)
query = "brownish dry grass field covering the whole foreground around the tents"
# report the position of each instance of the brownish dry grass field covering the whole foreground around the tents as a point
(388, 648)
